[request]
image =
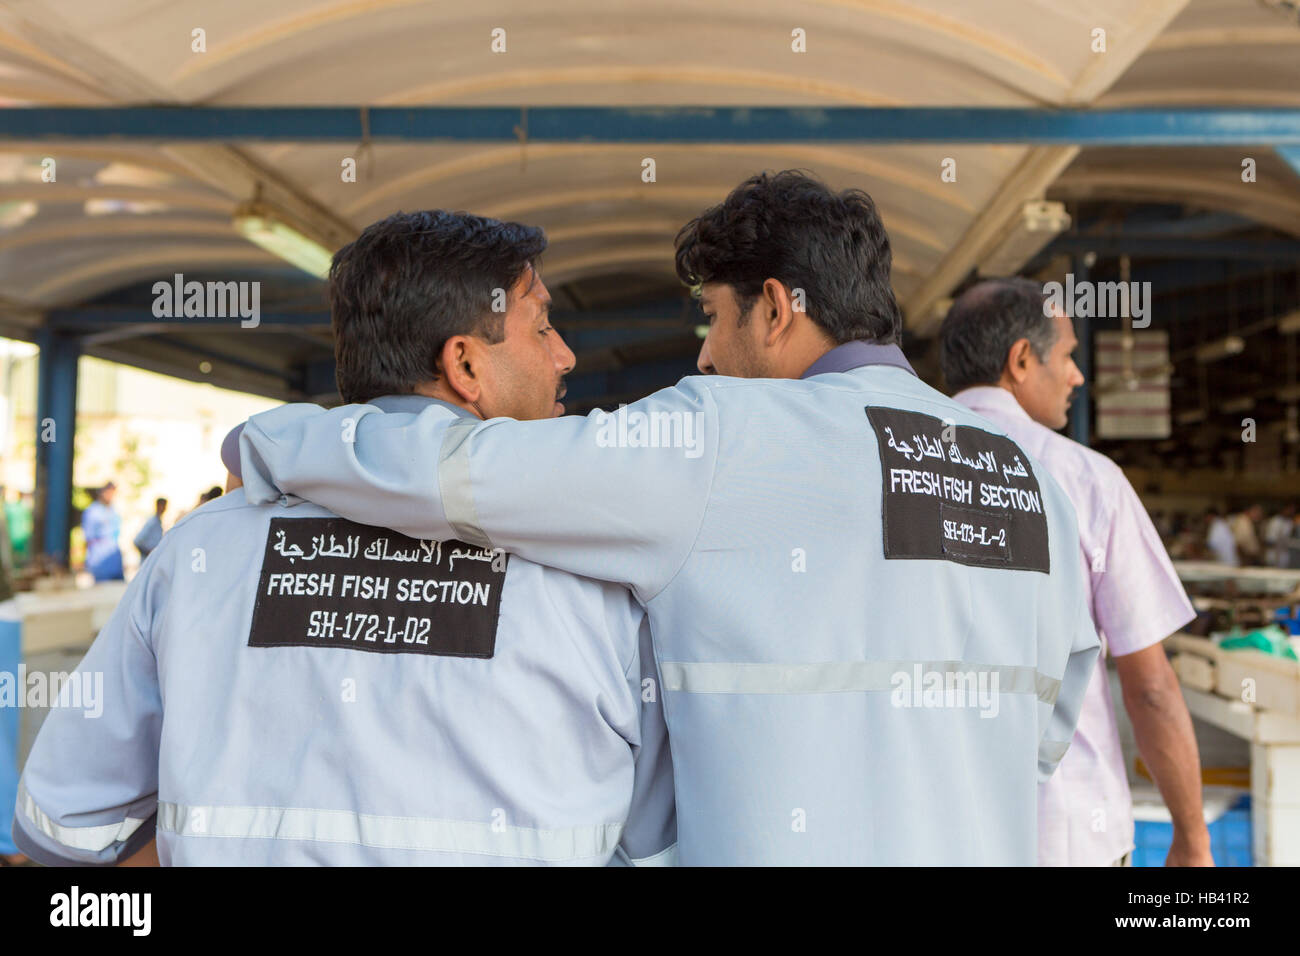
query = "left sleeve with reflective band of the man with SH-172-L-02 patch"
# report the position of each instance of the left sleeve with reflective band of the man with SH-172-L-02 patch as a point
(89, 791)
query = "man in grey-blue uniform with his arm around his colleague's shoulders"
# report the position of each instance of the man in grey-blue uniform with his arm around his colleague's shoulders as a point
(866, 602)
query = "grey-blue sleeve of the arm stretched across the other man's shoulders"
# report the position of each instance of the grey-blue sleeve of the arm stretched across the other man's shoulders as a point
(618, 498)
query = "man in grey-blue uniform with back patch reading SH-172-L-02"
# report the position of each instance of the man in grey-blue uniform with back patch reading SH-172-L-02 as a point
(283, 686)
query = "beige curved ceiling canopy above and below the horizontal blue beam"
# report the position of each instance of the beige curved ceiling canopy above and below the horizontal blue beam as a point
(601, 218)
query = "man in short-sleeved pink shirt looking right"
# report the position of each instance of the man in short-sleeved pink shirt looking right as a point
(1009, 360)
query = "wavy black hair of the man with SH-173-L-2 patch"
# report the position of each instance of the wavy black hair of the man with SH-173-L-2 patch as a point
(792, 228)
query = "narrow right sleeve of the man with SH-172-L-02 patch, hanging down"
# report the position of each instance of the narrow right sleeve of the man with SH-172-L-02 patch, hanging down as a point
(651, 834)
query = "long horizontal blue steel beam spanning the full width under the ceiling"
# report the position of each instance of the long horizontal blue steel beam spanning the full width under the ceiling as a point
(1195, 127)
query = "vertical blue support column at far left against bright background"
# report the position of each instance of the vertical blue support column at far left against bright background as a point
(57, 431)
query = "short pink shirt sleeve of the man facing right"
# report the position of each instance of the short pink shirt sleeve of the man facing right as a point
(1137, 596)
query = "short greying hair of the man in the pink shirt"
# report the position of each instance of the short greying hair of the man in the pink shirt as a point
(985, 323)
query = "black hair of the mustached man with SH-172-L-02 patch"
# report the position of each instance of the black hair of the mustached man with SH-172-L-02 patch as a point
(410, 283)
